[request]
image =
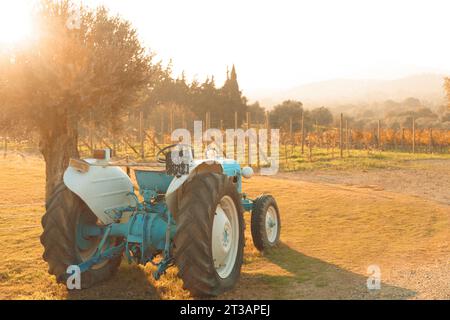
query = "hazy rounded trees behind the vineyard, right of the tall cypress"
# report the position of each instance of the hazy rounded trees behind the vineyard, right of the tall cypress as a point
(392, 114)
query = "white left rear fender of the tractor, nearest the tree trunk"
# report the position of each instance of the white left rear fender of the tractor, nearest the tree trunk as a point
(101, 188)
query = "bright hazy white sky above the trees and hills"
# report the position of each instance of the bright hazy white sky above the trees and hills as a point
(280, 44)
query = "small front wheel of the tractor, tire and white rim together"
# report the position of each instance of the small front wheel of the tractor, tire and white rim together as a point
(265, 223)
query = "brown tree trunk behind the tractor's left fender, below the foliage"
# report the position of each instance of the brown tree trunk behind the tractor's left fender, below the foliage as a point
(58, 146)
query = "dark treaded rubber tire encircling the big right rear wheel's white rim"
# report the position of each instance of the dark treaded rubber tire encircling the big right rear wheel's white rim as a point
(193, 240)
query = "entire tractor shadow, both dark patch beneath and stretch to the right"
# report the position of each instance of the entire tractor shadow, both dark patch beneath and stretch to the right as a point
(303, 277)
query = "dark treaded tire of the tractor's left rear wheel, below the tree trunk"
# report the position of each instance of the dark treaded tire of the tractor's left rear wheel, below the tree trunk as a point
(59, 224)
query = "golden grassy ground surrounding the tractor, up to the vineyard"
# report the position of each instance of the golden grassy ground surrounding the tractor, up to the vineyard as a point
(335, 223)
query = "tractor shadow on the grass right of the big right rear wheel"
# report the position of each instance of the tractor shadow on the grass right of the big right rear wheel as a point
(310, 278)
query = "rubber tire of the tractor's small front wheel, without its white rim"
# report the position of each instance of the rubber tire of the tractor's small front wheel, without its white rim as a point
(258, 222)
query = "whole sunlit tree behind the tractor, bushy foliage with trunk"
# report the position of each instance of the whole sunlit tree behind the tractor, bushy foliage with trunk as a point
(68, 71)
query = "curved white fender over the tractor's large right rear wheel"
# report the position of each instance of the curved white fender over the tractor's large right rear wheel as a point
(174, 192)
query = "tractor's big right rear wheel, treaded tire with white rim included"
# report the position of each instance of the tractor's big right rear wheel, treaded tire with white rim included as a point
(209, 243)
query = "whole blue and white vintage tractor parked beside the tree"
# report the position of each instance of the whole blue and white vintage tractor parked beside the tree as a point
(189, 215)
